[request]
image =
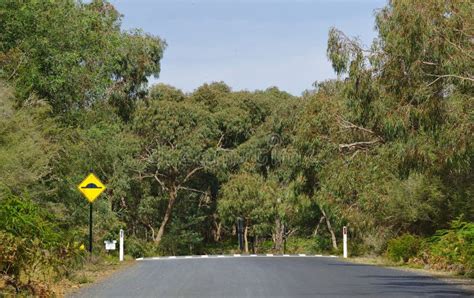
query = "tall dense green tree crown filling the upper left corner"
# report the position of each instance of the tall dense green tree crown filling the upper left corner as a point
(73, 54)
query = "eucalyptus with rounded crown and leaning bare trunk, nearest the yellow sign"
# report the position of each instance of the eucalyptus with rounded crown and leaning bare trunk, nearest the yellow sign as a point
(178, 142)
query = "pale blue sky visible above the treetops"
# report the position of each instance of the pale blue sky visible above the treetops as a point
(248, 44)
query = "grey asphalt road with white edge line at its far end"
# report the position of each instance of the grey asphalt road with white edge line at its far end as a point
(266, 277)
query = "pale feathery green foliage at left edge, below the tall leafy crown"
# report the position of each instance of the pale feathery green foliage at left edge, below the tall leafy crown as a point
(26, 142)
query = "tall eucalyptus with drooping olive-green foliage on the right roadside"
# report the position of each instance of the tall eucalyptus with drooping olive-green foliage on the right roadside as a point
(405, 114)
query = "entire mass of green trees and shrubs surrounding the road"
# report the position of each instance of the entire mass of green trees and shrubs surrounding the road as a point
(386, 149)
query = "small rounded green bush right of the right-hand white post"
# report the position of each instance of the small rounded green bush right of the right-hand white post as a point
(403, 248)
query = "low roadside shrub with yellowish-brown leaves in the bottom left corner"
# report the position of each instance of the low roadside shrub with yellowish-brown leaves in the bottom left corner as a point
(32, 248)
